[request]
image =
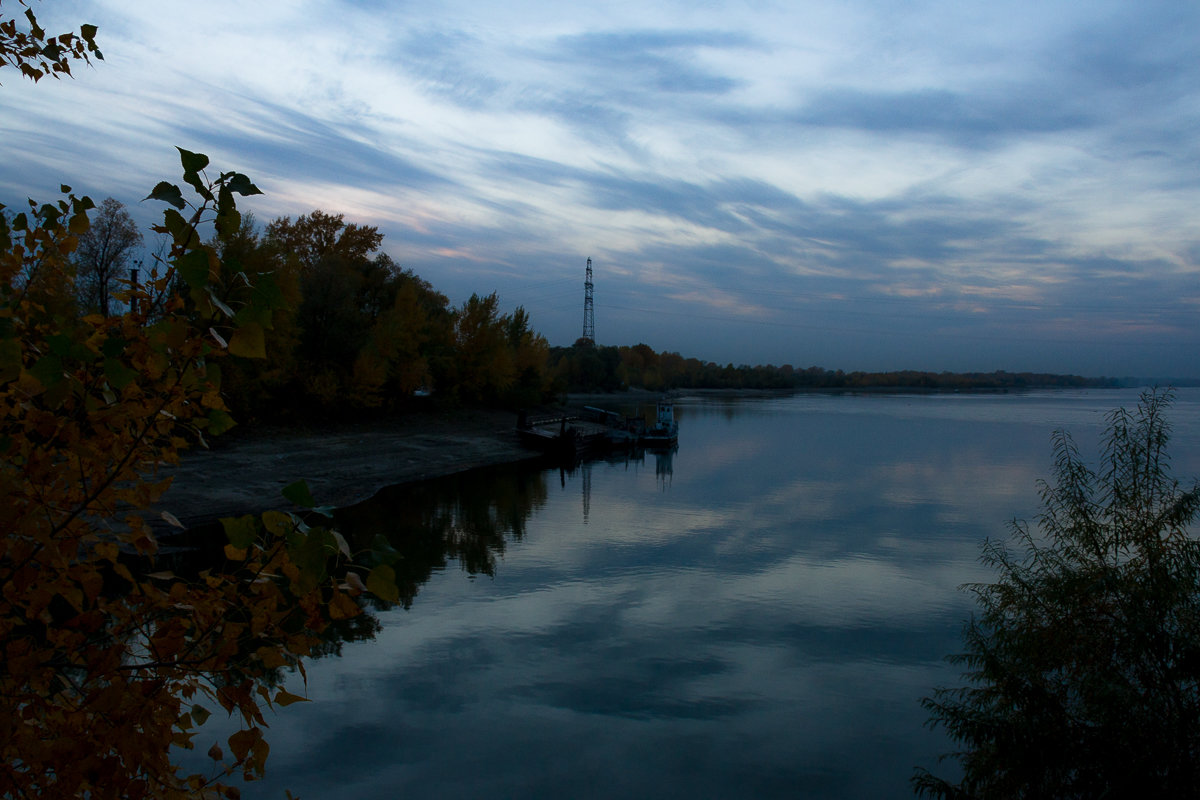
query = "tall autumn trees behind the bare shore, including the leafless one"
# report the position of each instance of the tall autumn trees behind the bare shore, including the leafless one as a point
(350, 330)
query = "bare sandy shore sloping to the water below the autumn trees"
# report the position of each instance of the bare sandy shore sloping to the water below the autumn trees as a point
(245, 472)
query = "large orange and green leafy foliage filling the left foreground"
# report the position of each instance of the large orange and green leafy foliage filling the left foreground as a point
(109, 661)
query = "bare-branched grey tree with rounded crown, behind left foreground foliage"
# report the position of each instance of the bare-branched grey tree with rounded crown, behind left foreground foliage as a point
(104, 256)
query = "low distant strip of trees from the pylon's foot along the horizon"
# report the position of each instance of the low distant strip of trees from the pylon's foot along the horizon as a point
(586, 368)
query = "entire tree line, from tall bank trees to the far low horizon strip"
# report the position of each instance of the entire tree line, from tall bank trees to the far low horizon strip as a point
(351, 333)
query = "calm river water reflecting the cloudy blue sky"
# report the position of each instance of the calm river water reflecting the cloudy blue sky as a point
(758, 615)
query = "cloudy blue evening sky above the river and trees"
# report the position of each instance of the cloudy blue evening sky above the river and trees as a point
(856, 185)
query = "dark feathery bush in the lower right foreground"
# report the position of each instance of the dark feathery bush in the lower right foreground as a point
(1083, 666)
